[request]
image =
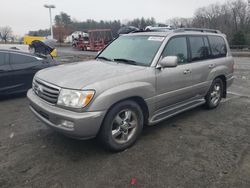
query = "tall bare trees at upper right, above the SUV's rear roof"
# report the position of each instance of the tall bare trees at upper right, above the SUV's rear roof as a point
(230, 17)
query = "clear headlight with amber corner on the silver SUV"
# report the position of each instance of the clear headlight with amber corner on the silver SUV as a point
(74, 98)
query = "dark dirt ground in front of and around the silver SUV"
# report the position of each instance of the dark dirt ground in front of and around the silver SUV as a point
(198, 148)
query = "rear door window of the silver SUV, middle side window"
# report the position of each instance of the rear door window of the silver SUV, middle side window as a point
(199, 50)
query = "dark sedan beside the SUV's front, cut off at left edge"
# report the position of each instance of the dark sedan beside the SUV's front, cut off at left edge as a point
(17, 69)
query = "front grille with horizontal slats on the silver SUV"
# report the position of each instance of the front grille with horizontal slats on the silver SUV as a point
(46, 91)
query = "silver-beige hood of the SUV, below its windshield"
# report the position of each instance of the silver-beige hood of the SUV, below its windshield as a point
(81, 74)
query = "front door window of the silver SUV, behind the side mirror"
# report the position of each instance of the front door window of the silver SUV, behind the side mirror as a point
(177, 47)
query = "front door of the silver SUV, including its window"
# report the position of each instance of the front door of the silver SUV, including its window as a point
(174, 85)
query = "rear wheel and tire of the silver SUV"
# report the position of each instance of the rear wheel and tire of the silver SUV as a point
(214, 94)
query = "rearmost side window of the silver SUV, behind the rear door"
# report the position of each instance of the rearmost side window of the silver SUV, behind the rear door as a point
(218, 46)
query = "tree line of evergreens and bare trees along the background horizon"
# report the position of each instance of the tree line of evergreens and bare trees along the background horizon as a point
(231, 17)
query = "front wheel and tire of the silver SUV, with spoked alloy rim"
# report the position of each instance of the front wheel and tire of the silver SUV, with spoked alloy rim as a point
(122, 126)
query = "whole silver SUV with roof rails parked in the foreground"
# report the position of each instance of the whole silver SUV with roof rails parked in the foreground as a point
(139, 79)
